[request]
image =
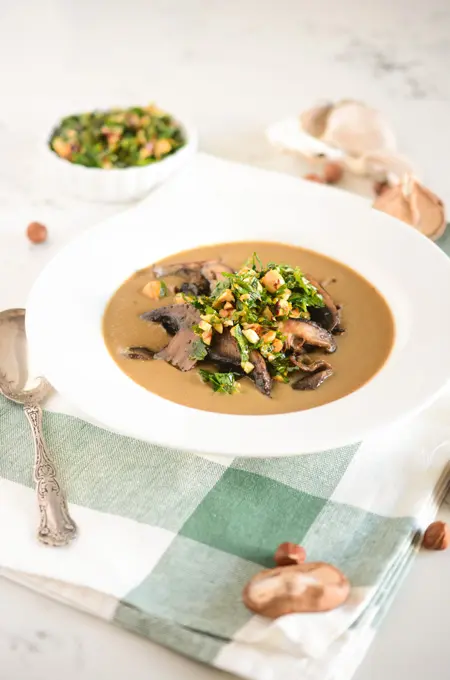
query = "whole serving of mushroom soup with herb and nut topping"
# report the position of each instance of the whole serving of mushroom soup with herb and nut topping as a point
(220, 329)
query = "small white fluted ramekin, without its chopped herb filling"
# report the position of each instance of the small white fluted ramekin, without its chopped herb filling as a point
(115, 185)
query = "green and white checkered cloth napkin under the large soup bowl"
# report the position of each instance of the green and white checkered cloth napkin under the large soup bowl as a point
(168, 539)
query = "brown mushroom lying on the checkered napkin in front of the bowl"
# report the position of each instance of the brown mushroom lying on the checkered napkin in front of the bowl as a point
(306, 587)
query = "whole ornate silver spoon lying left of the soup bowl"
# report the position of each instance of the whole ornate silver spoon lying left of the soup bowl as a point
(56, 526)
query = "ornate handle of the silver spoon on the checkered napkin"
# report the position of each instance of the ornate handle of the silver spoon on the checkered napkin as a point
(56, 526)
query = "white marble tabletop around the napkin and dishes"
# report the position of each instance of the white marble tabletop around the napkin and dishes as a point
(232, 68)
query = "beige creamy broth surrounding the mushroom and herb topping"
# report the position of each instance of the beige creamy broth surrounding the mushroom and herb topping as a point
(360, 353)
